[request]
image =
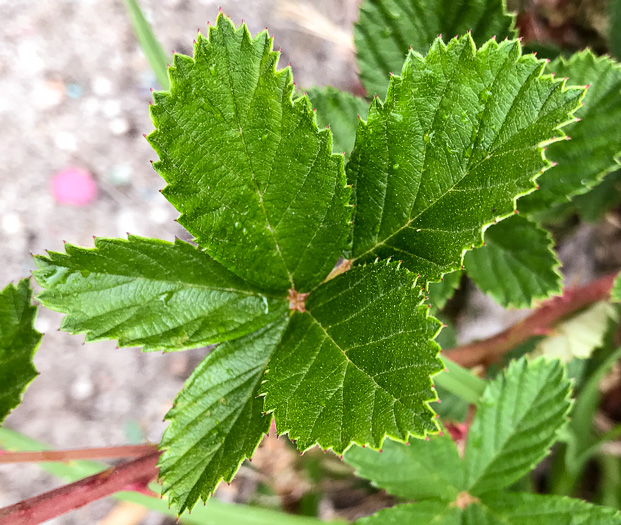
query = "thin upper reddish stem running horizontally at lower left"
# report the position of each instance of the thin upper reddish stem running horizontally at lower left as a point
(126, 451)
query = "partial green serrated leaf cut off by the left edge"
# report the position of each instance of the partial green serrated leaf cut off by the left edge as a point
(18, 343)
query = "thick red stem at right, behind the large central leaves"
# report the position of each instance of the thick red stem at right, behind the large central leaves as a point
(541, 322)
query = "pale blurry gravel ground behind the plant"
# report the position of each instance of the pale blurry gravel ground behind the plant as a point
(75, 91)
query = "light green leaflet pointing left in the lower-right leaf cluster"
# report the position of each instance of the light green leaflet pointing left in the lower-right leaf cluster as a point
(423, 470)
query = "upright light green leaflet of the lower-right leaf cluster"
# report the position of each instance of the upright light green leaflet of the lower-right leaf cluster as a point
(516, 422)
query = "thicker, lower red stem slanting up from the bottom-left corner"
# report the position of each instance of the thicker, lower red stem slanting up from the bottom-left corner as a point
(51, 504)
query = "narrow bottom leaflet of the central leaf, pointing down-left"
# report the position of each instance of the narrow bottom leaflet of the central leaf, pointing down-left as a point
(217, 420)
